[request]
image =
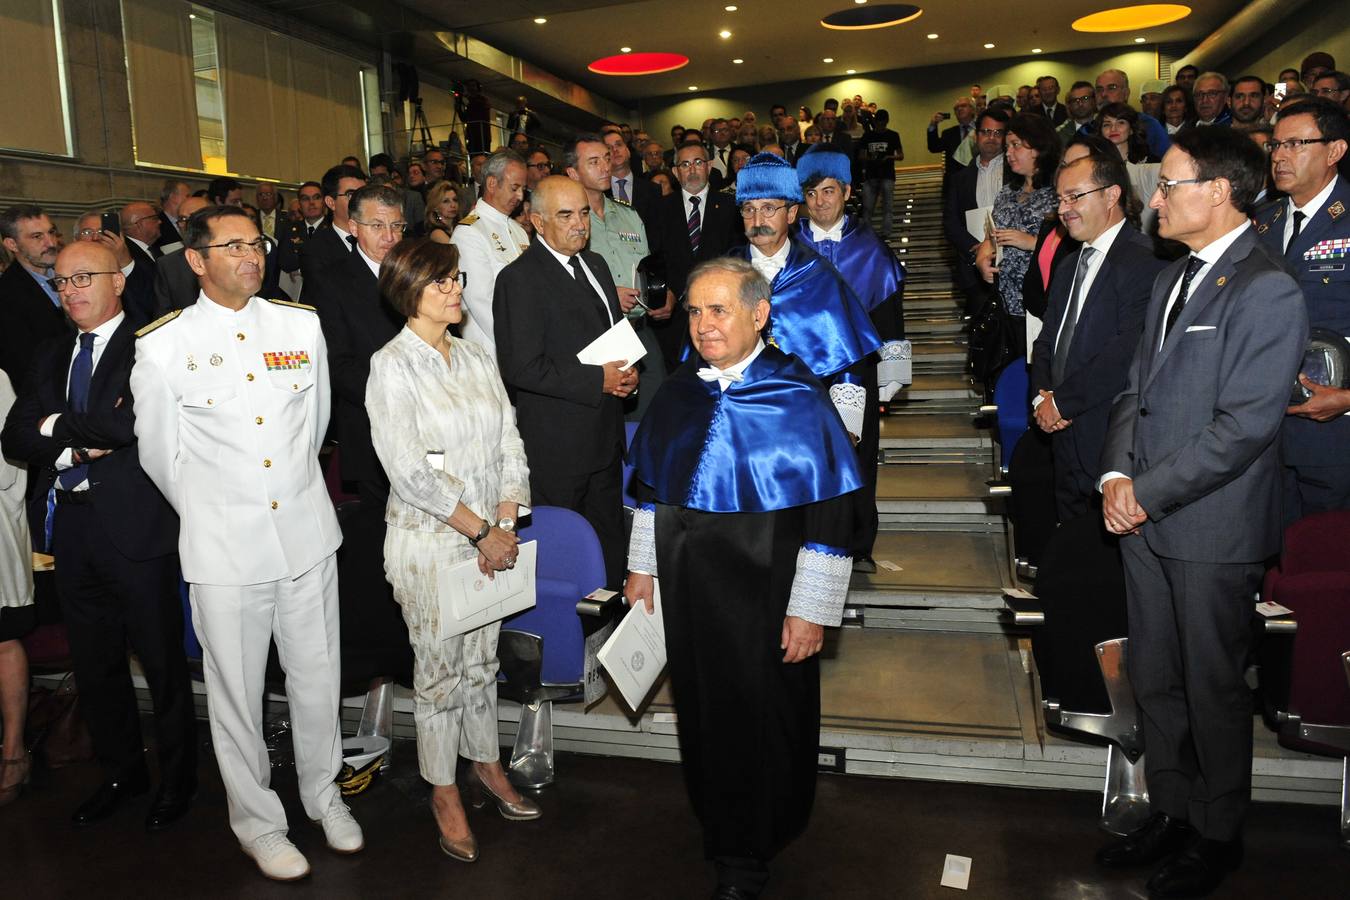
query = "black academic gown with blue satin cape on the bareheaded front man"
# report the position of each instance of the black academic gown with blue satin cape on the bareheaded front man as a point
(726, 581)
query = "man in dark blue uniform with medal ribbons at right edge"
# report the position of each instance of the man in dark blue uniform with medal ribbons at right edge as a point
(1310, 230)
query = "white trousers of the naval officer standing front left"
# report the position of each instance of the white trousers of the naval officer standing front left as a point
(236, 625)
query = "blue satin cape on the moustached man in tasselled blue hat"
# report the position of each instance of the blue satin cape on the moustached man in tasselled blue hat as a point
(815, 315)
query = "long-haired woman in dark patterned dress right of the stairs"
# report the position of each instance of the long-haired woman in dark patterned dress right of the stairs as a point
(1025, 202)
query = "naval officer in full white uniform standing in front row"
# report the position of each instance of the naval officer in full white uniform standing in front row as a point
(232, 410)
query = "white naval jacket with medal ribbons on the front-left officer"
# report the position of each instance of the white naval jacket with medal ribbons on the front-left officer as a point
(232, 411)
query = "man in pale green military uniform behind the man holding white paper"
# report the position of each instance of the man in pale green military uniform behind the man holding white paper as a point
(620, 238)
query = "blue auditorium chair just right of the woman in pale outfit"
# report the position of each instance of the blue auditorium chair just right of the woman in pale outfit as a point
(542, 651)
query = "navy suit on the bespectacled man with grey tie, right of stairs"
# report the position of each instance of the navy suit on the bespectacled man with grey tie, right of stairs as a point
(1105, 341)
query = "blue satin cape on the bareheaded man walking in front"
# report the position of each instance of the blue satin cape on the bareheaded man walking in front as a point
(767, 443)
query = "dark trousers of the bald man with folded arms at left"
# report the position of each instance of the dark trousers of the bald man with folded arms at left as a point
(109, 602)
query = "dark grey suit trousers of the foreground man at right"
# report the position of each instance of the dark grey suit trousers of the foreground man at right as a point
(1190, 639)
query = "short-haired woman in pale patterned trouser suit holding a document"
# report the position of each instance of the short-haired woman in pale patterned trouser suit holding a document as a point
(433, 392)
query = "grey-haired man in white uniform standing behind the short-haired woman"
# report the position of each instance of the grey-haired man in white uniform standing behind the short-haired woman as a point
(488, 240)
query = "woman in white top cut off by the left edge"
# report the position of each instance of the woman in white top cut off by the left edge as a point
(18, 616)
